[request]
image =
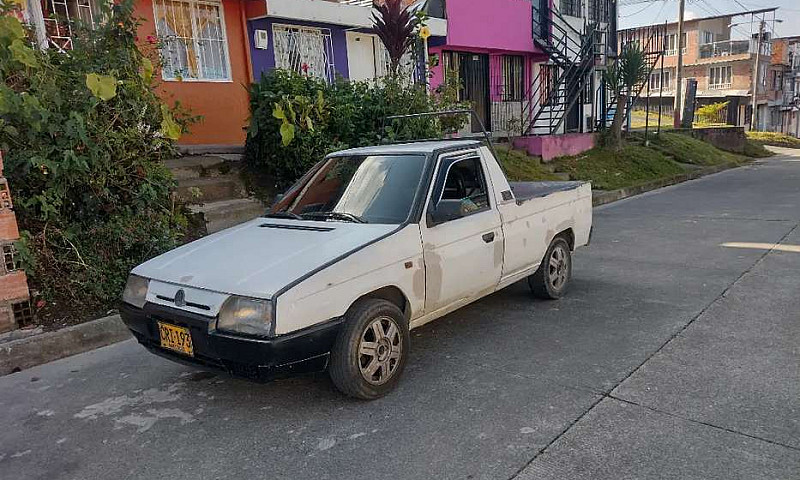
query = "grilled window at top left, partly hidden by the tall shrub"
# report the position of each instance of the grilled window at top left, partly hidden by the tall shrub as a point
(59, 18)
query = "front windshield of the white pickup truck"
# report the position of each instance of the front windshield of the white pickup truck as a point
(369, 189)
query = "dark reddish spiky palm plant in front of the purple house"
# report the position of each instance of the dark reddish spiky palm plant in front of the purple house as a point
(394, 24)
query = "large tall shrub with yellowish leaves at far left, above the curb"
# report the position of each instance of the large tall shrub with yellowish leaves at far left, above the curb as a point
(85, 137)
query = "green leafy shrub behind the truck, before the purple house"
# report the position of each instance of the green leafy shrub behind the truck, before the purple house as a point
(343, 114)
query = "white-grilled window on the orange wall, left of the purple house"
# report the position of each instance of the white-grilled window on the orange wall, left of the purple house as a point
(194, 43)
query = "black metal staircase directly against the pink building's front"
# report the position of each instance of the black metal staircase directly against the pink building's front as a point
(559, 84)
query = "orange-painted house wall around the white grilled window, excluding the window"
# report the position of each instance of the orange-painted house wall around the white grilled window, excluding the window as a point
(223, 105)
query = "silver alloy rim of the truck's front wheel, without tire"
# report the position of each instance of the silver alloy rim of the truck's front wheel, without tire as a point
(379, 350)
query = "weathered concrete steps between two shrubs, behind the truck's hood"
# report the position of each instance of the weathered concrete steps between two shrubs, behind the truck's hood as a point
(211, 186)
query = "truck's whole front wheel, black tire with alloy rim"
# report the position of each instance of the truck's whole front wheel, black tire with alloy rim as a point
(371, 351)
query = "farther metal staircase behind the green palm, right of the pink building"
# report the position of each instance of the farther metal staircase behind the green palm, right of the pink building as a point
(652, 40)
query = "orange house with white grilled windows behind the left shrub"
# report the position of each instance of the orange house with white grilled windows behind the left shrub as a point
(205, 56)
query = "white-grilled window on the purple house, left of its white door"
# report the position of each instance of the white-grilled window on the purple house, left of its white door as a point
(305, 50)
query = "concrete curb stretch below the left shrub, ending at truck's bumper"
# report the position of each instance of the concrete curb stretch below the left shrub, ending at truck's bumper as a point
(23, 353)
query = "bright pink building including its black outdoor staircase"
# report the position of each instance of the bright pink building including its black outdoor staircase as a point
(529, 67)
